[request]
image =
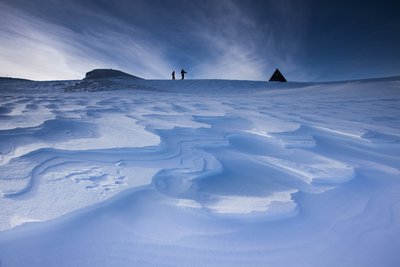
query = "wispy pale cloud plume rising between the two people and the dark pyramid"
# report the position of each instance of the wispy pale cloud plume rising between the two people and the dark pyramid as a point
(229, 37)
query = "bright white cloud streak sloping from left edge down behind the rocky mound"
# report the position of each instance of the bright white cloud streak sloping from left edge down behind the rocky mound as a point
(31, 47)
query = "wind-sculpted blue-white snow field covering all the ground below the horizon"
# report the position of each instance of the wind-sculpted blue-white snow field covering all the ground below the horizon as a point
(199, 173)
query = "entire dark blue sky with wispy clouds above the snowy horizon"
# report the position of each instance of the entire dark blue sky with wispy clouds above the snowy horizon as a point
(308, 40)
